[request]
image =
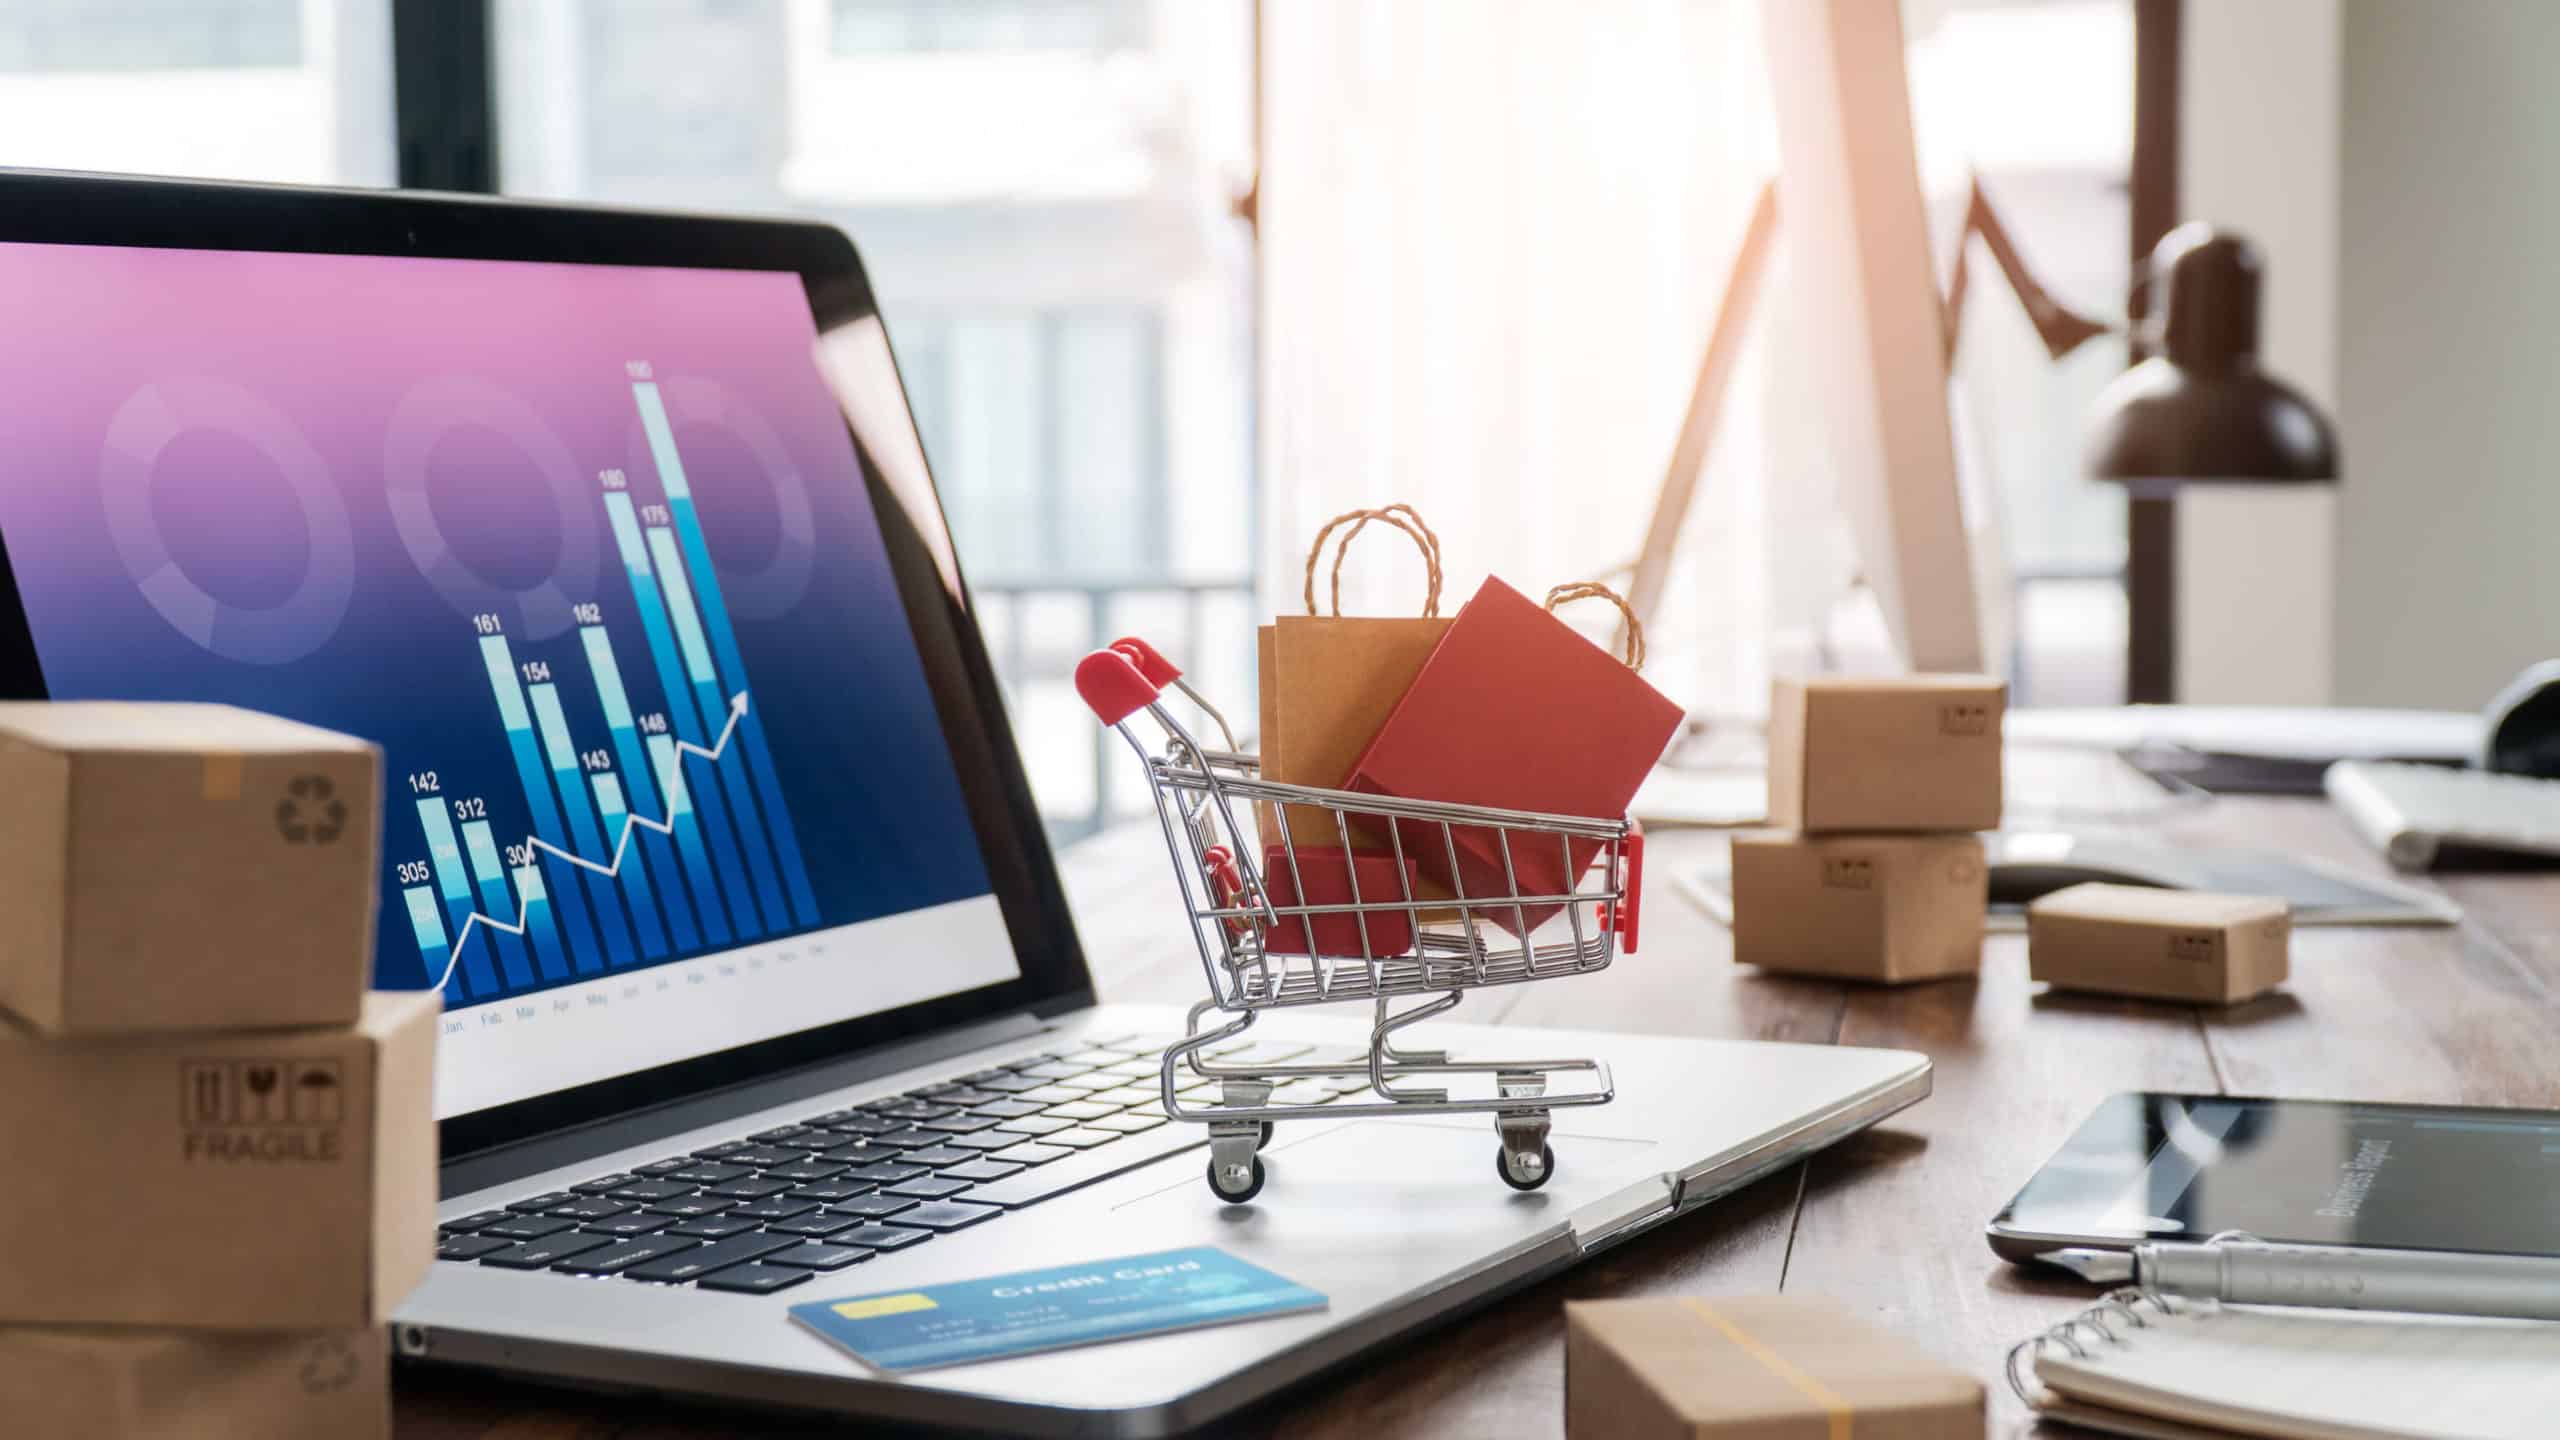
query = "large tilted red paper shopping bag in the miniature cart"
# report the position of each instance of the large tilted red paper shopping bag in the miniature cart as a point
(1522, 714)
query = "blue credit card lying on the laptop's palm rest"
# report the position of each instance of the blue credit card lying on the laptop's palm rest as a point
(1048, 1311)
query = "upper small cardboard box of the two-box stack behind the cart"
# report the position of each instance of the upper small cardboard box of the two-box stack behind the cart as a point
(1885, 752)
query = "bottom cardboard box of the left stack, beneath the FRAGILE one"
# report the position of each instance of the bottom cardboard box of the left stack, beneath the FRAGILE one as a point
(180, 1385)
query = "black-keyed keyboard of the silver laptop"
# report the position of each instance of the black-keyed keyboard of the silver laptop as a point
(774, 1208)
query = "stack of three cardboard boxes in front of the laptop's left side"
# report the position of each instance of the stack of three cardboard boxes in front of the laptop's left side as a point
(224, 1147)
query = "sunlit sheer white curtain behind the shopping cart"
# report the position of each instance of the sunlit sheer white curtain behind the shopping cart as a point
(1496, 234)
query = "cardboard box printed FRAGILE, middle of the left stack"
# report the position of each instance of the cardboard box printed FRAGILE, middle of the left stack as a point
(257, 1180)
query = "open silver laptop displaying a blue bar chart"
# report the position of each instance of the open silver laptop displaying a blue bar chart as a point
(705, 808)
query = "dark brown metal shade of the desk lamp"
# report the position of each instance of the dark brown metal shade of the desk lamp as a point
(2203, 411)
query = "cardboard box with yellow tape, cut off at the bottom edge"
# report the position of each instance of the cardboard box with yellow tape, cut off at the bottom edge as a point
(1755, 1370)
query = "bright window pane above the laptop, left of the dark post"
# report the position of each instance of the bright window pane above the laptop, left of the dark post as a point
(214, 88)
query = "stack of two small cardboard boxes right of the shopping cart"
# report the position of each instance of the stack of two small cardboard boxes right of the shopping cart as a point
(1878, 790)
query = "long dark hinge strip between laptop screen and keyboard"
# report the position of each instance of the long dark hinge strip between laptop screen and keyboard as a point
(672, 1118)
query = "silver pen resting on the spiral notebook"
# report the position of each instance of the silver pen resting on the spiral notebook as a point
(2244, 1270)
